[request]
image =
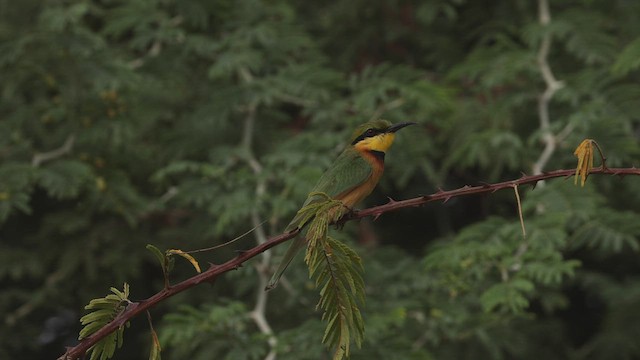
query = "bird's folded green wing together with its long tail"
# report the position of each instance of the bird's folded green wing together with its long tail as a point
(348, 171)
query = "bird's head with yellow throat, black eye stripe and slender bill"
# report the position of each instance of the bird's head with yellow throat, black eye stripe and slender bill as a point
(376, 135)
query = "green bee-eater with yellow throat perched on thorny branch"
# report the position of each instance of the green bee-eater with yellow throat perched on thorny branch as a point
(350, 179)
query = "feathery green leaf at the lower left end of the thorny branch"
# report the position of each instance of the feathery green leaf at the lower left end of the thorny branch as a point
(103, 311)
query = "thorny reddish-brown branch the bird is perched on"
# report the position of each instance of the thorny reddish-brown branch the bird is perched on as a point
(136, 308)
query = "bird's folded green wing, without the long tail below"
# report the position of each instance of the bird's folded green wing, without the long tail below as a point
(348, 171)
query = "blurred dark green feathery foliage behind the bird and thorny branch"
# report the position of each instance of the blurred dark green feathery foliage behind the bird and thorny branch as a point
(152, 98)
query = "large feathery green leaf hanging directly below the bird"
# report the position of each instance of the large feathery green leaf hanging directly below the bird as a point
(337, 271)
